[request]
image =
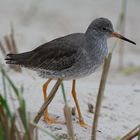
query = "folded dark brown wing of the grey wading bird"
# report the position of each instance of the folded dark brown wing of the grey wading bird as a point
(54, 56)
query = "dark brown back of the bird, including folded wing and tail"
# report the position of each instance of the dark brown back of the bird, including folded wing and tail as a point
(52, 57)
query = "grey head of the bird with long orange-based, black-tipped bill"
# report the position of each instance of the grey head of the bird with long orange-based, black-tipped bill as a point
(103, 27)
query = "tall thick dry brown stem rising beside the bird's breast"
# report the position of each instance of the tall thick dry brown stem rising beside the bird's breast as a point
(100, 95)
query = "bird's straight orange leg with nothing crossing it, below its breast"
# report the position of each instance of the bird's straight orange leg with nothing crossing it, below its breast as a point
(81, 120)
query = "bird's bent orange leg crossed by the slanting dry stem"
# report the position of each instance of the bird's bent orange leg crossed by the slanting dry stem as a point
(46, 115)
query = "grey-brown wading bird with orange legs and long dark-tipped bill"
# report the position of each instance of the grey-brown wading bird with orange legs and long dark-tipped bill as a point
(72, 57)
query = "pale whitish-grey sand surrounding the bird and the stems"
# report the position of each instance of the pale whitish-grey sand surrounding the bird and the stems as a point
(37, 22)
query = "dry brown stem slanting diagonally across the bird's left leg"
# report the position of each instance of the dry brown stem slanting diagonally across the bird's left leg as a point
(47, 102)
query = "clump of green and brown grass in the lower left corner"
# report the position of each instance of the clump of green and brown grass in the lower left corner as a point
(15, 123)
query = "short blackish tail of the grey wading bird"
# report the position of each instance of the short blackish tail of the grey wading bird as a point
(18, 59)
